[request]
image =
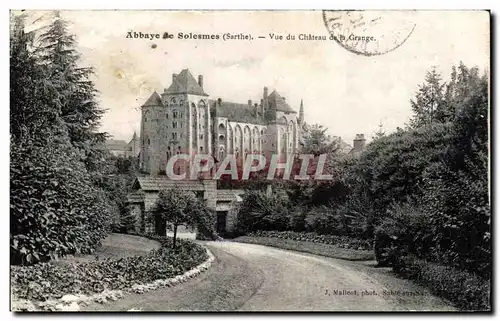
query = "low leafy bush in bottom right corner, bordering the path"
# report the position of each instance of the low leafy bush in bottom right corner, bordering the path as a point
(466, 290)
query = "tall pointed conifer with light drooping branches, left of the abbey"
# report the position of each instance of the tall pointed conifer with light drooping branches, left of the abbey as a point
(76, 97)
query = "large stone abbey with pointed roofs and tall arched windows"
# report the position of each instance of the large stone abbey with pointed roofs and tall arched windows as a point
(185, 119)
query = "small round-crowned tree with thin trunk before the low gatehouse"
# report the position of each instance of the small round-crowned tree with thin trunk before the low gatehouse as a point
(176, 207)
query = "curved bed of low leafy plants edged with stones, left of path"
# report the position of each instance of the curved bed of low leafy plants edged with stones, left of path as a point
(48, 280)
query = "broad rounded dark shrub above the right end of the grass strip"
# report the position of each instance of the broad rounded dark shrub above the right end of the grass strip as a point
(390, 169)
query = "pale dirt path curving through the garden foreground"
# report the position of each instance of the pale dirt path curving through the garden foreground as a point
(248, 277)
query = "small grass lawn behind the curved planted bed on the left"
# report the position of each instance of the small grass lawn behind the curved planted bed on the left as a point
(116, 246)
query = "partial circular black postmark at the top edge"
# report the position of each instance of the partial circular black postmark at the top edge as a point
(369, 33)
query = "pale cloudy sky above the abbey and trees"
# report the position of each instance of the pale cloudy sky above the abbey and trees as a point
(345, 92)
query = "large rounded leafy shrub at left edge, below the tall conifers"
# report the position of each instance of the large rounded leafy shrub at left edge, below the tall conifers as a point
(54, 208)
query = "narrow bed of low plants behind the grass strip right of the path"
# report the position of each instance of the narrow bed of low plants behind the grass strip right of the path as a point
(339, 241)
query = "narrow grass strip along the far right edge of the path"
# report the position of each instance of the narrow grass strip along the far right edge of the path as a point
(309, 247)
